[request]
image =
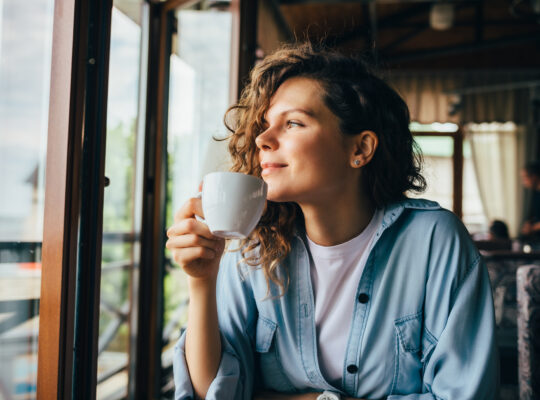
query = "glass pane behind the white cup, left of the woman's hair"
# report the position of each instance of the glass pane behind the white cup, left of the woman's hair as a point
(198, 99)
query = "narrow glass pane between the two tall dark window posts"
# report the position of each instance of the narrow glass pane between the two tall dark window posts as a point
(120, 227)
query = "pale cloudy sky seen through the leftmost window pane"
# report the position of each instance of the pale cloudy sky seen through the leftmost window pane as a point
(25, 48)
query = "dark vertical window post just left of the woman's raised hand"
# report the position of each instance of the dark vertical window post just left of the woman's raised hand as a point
(145, 377)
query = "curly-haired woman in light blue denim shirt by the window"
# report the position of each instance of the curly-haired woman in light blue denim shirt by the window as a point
(346, 286)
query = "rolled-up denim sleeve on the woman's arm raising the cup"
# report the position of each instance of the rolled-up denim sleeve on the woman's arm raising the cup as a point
(237, 316)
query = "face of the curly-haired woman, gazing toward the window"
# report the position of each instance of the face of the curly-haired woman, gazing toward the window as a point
(304, 156)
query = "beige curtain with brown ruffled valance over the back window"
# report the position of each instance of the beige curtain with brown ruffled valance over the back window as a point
(474, 99)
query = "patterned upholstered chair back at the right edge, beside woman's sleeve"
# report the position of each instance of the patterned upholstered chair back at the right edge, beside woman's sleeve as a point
(528, 297)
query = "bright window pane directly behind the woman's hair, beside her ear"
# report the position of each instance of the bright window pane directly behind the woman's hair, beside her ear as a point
(438, 168)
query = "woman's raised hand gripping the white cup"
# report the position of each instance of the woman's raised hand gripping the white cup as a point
(193, 246)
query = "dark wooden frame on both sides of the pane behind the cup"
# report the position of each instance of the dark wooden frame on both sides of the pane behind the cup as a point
(148, 346)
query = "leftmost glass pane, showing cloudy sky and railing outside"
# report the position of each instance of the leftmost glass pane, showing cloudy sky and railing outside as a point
(25, 61)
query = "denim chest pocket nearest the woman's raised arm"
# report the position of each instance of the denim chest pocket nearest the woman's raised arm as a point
(270, 369)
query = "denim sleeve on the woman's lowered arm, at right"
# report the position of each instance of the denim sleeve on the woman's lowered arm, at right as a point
(459, 346)
